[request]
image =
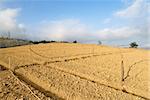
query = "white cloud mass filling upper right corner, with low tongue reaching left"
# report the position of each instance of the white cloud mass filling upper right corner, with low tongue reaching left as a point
(135, 16)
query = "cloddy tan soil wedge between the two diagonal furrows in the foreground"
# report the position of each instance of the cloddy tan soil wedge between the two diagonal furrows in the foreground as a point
(69, 86)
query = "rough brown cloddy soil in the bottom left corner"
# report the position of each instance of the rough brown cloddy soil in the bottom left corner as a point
(11, 89)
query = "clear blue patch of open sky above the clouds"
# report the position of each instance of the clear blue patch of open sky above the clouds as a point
(90, 12)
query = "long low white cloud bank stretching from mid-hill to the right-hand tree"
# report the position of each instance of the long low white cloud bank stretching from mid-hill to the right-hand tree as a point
(72, 29)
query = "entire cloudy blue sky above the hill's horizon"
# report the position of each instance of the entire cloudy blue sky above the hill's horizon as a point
(114, 22)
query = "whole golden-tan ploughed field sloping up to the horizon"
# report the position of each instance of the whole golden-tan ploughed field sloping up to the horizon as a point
(65, 71)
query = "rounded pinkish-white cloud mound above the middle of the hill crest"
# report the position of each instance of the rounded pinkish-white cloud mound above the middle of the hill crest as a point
(69, 29)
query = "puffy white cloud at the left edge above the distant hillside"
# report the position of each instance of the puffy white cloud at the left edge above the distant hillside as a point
(8, 22)
